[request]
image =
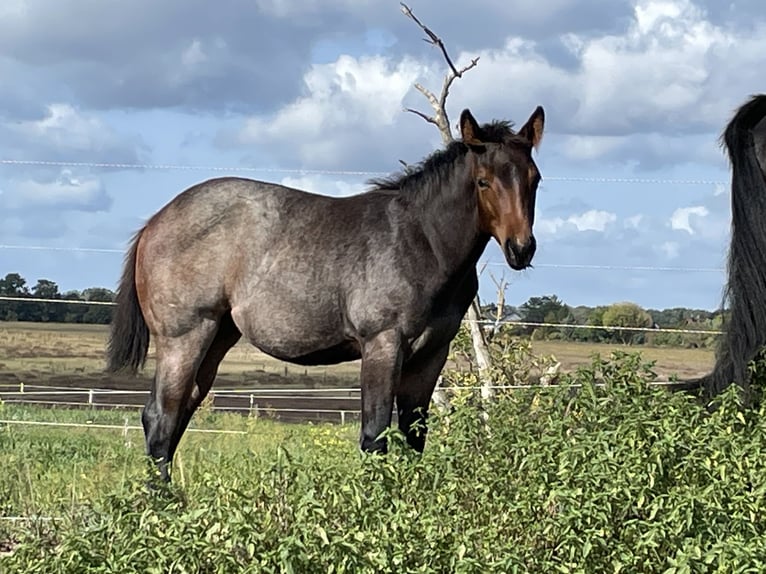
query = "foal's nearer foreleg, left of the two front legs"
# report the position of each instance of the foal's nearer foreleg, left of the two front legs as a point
(381, 370)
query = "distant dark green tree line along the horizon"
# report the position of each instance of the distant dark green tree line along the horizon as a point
(561, 321)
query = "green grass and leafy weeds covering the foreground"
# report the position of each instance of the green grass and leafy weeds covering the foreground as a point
(581, 478)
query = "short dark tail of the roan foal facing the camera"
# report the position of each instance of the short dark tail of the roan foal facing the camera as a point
(129, 337)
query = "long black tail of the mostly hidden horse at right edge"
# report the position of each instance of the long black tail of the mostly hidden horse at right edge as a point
(745, 329)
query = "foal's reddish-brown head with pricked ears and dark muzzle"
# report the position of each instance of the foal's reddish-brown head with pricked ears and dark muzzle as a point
(505, 179)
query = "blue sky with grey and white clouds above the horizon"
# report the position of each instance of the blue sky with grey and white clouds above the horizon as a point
(110, 109)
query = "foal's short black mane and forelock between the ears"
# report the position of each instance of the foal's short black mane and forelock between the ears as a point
(435, 168)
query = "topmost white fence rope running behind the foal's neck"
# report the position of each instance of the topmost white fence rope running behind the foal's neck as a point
(308, 171)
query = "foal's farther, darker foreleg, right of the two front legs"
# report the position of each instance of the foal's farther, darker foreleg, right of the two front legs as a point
(419, 377)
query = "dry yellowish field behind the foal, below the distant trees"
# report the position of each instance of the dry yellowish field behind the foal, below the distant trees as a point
(74, 354)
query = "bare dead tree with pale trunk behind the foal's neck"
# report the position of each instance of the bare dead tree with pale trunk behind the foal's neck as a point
(440, 119)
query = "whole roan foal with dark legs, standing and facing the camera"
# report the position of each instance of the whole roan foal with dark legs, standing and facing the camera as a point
(385, 276)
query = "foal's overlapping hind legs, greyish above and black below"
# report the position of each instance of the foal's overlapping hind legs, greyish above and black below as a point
(178, 360)
